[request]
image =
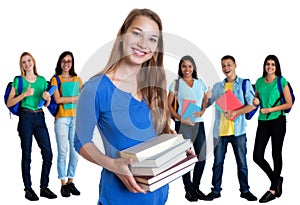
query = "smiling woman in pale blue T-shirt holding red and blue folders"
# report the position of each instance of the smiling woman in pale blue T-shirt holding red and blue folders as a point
(190, 88)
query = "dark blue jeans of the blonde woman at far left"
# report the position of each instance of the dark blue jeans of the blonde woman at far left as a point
(33, 124)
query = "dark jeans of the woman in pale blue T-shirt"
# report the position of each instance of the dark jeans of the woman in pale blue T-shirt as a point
(197, 135)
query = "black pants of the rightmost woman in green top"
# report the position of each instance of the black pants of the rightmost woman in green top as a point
(274, 129)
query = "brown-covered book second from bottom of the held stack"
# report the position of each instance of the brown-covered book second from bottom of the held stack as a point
(148, 180)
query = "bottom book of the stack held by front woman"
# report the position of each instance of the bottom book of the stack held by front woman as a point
(166, 180)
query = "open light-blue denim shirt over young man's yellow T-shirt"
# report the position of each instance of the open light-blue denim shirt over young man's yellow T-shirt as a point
(240, 122)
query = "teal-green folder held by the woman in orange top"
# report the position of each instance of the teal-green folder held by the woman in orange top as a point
(70, 89)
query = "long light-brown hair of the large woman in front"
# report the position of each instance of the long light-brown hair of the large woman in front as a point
(151, 78)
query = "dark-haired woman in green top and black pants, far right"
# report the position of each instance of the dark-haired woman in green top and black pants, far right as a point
(271, 124)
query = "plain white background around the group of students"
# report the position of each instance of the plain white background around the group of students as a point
(248, 30)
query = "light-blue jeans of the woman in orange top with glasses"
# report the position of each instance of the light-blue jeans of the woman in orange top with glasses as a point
(64, 128)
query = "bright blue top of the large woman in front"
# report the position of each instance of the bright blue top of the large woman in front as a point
(122, 122)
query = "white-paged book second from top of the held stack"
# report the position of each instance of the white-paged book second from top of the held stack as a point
(161, 158)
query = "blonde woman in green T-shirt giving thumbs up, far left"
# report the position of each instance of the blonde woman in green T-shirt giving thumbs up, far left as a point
(32, 123)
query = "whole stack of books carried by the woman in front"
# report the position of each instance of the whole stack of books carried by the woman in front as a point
(160, 160)
